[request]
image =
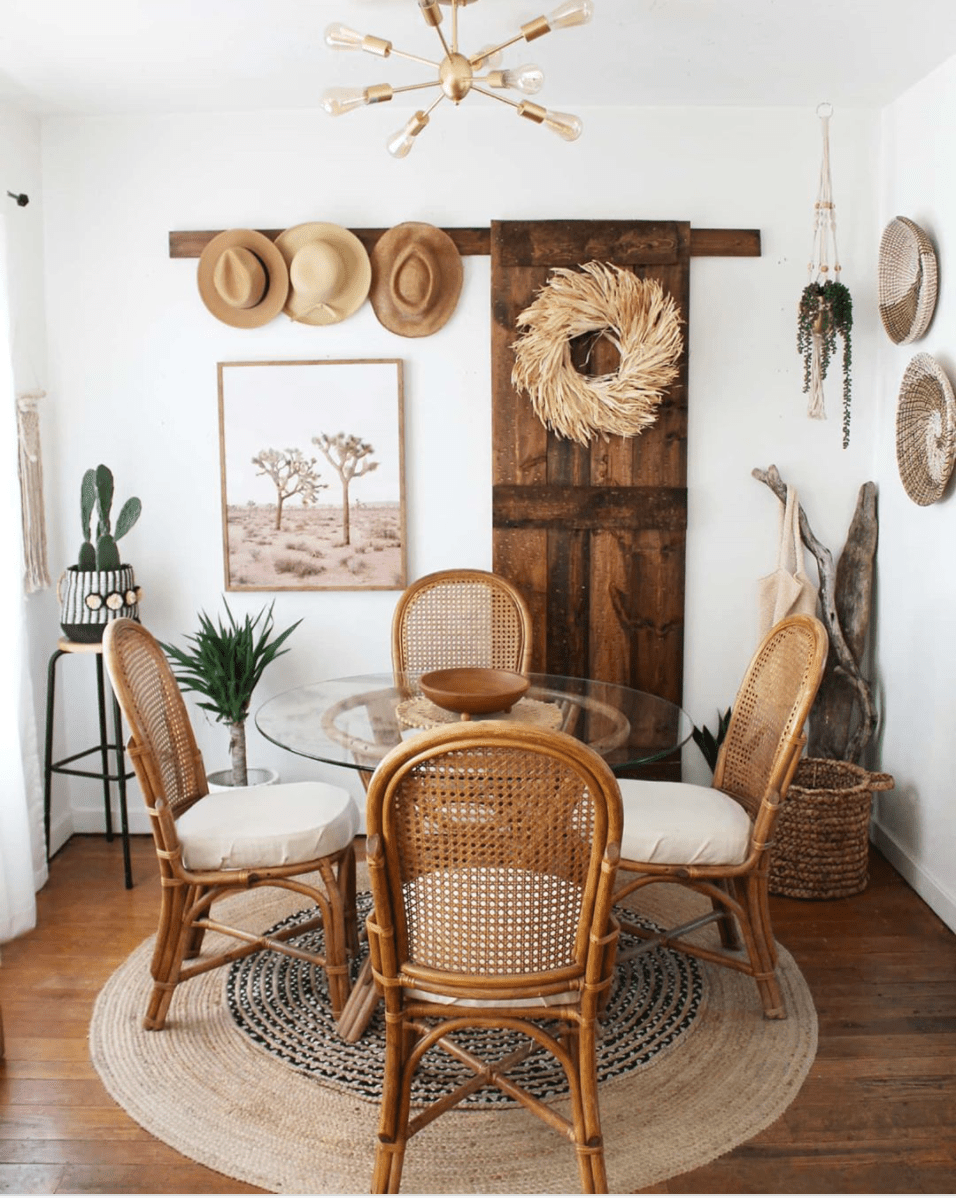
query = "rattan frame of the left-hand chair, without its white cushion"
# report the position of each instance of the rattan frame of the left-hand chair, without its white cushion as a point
(171, 772)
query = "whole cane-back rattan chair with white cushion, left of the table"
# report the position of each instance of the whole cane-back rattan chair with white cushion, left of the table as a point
(214, 845)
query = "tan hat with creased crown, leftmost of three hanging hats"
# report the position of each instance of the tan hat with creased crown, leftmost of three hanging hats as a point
(243, 279)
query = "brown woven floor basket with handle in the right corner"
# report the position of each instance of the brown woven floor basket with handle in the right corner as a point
(822, 839)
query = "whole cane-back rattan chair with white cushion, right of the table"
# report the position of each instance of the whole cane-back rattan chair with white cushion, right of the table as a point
(718, 840)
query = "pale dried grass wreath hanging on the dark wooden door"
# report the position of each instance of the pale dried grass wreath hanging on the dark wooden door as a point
(640, 322)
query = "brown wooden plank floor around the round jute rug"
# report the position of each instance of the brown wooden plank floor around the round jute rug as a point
(878, 1114)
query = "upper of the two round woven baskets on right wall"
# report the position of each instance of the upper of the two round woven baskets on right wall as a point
(907, 281)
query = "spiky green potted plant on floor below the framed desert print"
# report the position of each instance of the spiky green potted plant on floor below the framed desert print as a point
(223, 663)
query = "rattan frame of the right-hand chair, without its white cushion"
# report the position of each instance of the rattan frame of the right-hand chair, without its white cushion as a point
(755, 766)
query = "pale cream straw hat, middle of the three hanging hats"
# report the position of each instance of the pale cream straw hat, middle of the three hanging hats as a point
(329, 273)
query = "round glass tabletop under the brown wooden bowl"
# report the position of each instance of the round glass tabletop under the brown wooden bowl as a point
(355, 722)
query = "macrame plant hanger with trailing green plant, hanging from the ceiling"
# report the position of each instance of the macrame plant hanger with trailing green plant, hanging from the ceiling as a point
(826, 310)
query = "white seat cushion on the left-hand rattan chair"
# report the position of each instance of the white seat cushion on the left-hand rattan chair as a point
(259, 826)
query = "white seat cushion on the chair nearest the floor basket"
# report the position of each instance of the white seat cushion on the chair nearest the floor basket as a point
(680, 824)
